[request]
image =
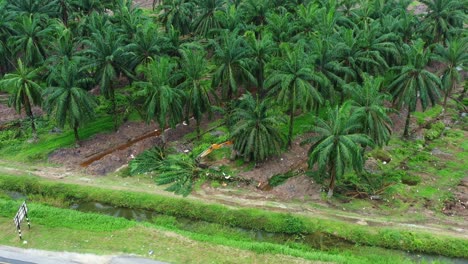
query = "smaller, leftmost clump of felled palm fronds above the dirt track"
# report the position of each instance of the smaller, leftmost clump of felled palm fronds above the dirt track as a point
(147, 161)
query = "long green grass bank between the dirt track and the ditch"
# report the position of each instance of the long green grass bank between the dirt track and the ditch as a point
(256, 219)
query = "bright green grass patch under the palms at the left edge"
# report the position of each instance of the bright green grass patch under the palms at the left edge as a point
(47, 143)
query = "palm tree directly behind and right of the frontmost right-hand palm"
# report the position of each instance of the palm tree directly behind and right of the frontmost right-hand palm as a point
(369, 110)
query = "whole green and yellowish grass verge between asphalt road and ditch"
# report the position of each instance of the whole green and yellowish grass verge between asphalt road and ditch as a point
(62, 229)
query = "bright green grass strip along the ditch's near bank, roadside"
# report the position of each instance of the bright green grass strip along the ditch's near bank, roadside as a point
(50, 217)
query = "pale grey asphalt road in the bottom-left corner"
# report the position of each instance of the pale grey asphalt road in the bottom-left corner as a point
(12, 255)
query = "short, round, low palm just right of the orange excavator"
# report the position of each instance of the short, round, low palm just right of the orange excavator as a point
(256, 131)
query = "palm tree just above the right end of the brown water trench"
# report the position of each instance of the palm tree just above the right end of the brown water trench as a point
(163, 102)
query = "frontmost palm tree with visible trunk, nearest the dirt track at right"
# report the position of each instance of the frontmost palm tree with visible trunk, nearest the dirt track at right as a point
(336, 145)
